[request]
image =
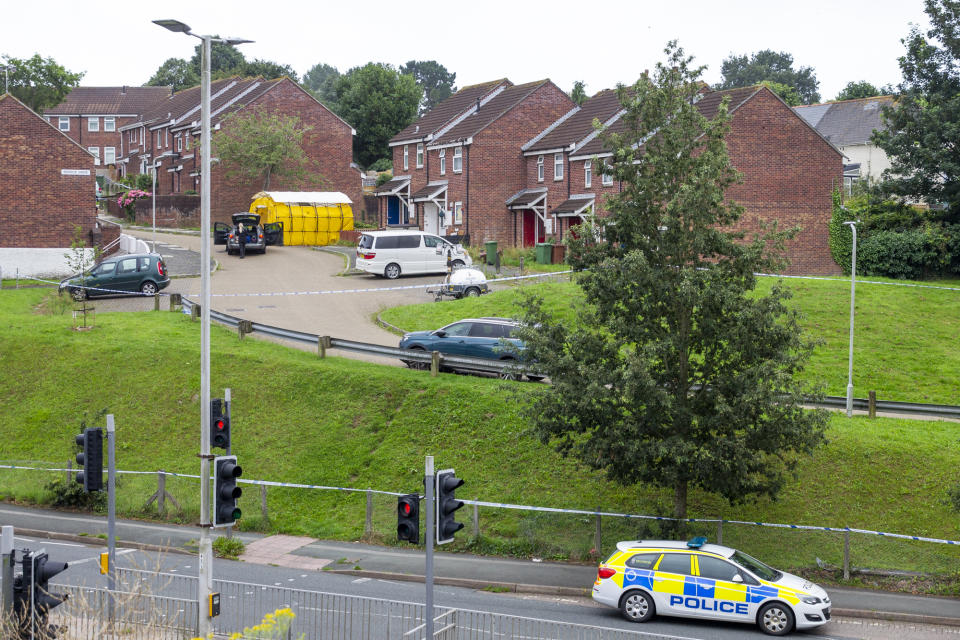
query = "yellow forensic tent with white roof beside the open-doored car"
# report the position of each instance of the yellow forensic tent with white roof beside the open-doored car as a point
(308, 217)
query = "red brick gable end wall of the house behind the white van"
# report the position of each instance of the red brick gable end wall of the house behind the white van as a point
(496, 165)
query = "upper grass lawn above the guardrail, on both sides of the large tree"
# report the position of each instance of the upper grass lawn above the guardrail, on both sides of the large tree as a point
(905, 338)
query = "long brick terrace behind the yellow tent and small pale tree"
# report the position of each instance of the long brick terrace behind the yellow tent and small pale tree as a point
(168, 135)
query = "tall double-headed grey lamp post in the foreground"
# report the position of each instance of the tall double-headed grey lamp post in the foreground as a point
(205, 623)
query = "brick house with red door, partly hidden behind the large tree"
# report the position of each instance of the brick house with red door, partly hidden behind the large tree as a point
(788, 169)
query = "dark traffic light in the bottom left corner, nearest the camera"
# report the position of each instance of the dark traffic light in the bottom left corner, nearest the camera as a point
(32, 597)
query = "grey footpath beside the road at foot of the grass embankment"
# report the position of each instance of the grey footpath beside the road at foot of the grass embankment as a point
(454, 569)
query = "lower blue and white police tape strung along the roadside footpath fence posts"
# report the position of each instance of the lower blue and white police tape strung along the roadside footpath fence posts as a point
(521, 507)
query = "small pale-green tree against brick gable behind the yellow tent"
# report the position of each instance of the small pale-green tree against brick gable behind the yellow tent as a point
(259, 145)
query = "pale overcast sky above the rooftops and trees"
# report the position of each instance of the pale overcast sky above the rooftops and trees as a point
(601, 43)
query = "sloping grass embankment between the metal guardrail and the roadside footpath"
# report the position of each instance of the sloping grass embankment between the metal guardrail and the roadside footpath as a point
(345, 423)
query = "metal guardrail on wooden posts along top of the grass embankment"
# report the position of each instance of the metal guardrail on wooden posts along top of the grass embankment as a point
(511, 368)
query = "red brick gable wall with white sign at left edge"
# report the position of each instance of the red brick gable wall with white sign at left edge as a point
(39, 207)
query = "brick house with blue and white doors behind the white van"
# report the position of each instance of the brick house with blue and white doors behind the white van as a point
(456, 166)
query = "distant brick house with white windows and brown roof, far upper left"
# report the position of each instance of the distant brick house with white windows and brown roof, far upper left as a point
(93, 116)
